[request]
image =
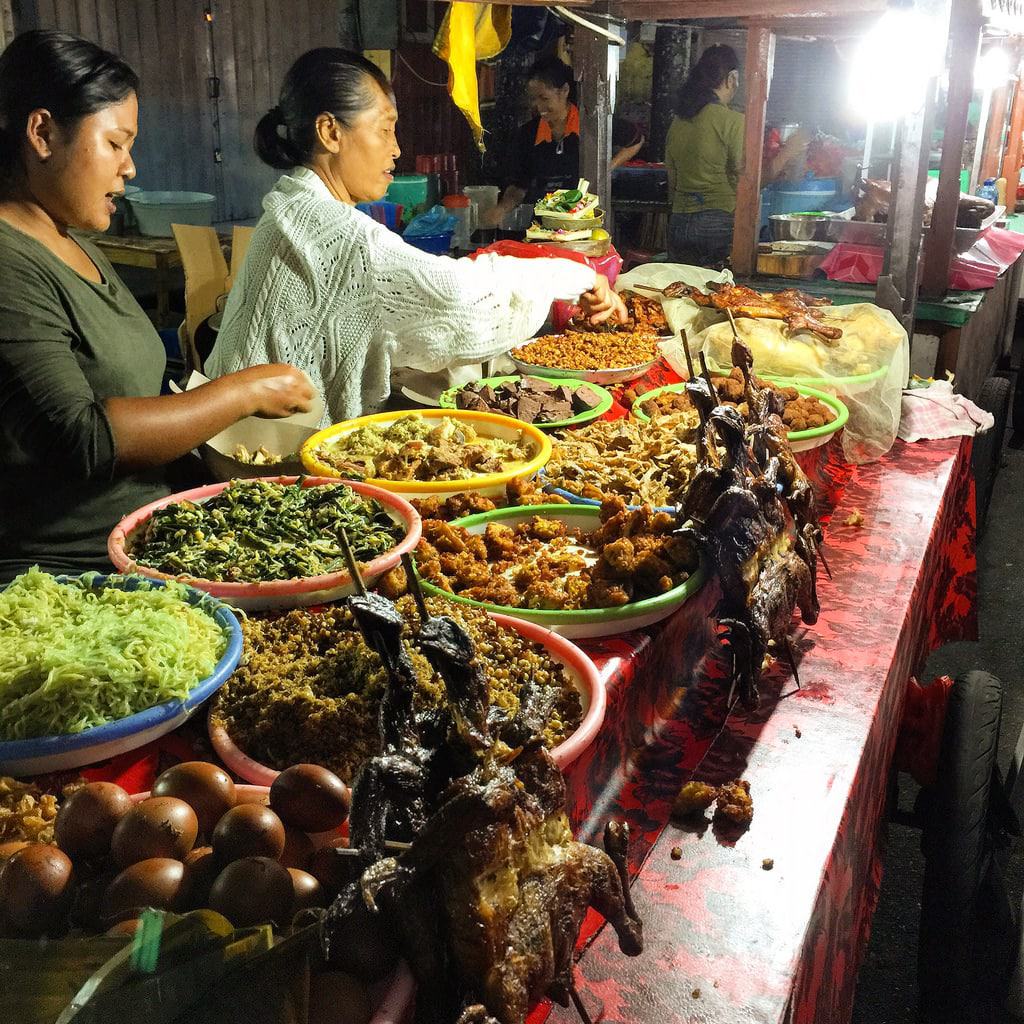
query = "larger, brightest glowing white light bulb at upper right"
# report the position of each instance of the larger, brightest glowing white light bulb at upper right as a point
(893, 64)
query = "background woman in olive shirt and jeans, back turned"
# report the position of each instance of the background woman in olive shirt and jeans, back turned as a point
(704, 153)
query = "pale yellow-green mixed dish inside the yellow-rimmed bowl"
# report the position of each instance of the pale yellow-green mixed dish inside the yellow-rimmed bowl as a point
(417, 449)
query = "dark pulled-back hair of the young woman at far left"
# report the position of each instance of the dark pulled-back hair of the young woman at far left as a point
(64, 74)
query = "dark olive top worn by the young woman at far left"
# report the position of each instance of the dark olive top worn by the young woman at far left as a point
(67, 346)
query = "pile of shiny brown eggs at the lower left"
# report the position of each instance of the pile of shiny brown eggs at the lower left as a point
(191, 844)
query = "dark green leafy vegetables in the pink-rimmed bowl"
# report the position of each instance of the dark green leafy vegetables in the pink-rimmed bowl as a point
(257, 531)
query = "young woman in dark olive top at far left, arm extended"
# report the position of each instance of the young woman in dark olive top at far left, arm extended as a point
(84, 435)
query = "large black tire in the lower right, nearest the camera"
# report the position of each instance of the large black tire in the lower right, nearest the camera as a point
(959, 854)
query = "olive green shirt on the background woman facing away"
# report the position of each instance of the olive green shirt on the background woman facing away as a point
(704, 157)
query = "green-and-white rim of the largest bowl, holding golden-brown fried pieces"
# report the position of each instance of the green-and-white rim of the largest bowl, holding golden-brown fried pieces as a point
(584, 623)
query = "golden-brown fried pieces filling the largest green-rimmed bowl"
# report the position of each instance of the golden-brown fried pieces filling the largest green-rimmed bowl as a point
(543, 564)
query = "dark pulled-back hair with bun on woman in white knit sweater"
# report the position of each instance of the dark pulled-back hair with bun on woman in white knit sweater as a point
(327, 80)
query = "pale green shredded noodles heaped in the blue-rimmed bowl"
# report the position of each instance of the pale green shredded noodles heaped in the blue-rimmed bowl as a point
(73, 657)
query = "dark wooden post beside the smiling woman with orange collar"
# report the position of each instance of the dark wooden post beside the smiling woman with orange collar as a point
(590, 60)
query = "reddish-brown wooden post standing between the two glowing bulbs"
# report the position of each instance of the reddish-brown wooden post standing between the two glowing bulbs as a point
(965, 39)
